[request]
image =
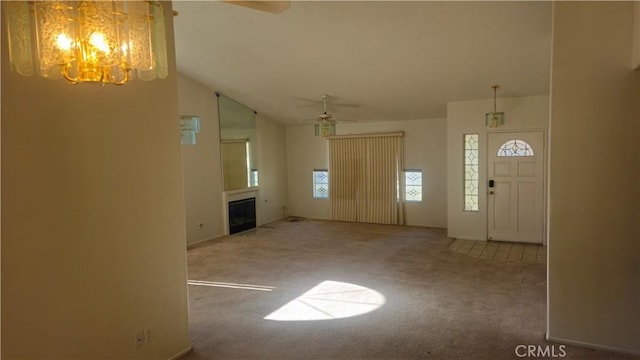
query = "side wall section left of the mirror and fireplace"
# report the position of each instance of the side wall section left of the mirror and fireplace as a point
(201, 163)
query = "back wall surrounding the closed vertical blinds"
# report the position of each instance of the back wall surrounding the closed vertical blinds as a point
(424, 148)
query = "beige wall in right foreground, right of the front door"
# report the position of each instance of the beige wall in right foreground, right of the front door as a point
(594, 252)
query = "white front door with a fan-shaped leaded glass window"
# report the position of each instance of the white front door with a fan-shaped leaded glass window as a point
(516, 187)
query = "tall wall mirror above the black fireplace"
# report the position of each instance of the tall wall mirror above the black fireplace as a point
(238, 144)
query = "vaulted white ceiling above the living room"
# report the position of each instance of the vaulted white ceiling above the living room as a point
(388, 60)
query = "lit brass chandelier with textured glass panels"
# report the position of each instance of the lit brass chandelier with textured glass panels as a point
(105, 42)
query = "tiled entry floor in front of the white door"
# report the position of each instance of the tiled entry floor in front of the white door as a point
(527, 253)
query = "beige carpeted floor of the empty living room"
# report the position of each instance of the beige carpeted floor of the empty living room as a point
(438, 304)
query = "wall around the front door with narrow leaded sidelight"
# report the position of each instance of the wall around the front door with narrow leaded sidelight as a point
(468, 117)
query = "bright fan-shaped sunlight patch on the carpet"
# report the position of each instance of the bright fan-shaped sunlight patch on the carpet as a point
(330, 300)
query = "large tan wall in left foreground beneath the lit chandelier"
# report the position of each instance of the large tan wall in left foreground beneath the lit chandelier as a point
(93, 232)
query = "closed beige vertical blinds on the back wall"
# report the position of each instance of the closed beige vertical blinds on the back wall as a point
(364, 173)
